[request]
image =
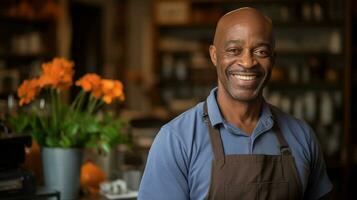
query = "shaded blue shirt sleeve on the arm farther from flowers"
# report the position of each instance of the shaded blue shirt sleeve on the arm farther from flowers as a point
(319, 183)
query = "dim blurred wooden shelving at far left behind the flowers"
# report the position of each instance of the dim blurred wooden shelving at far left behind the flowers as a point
(27, 38)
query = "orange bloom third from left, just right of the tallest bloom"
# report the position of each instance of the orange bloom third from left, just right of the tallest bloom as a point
(91, 82)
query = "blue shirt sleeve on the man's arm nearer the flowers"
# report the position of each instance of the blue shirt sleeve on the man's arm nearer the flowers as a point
(165, 174)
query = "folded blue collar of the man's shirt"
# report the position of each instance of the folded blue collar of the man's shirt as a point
(265, 121)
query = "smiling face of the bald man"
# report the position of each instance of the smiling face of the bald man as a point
(243, 55)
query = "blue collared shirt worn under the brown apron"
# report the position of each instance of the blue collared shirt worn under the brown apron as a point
(180, 159)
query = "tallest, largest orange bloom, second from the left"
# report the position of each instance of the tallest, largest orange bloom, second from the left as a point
(58, 74)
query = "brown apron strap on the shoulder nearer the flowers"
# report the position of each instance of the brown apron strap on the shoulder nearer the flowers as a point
(215, 137)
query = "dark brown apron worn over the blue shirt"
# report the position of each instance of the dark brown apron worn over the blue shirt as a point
(252, 177)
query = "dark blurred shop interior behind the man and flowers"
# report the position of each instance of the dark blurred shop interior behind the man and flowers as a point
(159, 50)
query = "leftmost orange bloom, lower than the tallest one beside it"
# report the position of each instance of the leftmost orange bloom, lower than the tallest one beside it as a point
(28, 91)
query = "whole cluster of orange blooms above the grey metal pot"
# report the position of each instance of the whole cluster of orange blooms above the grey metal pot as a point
(58, 74)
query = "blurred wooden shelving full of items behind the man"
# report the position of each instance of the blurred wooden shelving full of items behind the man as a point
(309, 77)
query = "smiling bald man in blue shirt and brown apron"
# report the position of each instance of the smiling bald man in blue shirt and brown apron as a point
(235, 145)
